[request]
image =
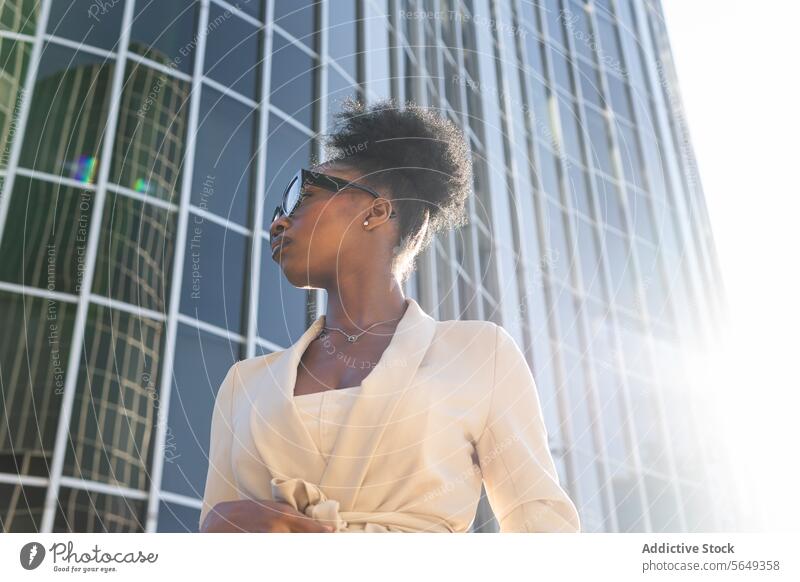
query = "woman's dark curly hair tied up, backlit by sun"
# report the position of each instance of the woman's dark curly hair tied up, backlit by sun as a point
(414, 157)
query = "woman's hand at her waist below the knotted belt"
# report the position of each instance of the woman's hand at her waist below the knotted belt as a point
(259, 516)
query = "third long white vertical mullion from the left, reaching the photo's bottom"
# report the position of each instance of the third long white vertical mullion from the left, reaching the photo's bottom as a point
(165, 387)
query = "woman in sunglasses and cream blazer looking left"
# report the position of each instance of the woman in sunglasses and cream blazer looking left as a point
(379, 418)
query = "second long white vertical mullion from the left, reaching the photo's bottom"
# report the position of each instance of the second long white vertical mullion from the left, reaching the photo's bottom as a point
(96, 224)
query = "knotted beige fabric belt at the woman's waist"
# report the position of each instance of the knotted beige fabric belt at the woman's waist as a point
(310, 500)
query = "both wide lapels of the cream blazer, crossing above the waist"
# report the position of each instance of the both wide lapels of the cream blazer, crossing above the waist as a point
(280, 435)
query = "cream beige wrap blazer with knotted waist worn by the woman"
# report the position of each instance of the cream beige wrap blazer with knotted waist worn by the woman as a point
(449, 403)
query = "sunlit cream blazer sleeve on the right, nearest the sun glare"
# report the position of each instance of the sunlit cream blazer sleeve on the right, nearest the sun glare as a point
(518, 470)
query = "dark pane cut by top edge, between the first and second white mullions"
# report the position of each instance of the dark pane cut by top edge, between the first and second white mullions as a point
(87, 22)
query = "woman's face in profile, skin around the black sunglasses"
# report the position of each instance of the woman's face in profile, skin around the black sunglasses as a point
(325, 239)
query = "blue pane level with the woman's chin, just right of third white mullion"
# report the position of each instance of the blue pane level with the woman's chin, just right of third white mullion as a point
(214, 271)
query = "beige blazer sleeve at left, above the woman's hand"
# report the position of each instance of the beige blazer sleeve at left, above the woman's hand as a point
(220, 482)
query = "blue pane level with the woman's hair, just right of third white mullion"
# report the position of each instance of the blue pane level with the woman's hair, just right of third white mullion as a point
(224, 158)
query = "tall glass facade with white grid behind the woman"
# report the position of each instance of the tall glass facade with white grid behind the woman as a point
(143, 141)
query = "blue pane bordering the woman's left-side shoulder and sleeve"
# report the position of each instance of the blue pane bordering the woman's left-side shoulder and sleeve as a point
(201, 362)
